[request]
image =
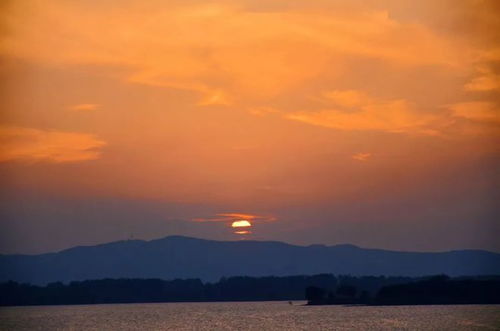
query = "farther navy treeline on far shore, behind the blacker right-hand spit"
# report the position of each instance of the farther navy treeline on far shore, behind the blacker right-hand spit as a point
(156, 290)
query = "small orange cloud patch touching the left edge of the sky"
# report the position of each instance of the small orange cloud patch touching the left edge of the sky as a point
(33, 145)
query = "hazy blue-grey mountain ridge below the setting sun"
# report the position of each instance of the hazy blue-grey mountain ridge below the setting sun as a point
(183, 257)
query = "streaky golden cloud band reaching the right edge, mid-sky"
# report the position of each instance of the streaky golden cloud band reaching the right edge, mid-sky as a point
(355, 111)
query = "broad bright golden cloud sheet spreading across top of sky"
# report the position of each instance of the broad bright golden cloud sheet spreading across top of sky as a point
(221, 50)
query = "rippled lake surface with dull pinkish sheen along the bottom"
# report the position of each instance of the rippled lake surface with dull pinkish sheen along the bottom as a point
(249, 316)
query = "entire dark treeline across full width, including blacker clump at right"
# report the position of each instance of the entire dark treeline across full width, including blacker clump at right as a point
(318, 289)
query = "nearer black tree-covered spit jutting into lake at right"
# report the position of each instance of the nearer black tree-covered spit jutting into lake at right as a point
(433, 290)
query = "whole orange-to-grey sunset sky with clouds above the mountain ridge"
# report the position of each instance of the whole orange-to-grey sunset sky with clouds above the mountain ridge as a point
(374, 123)
